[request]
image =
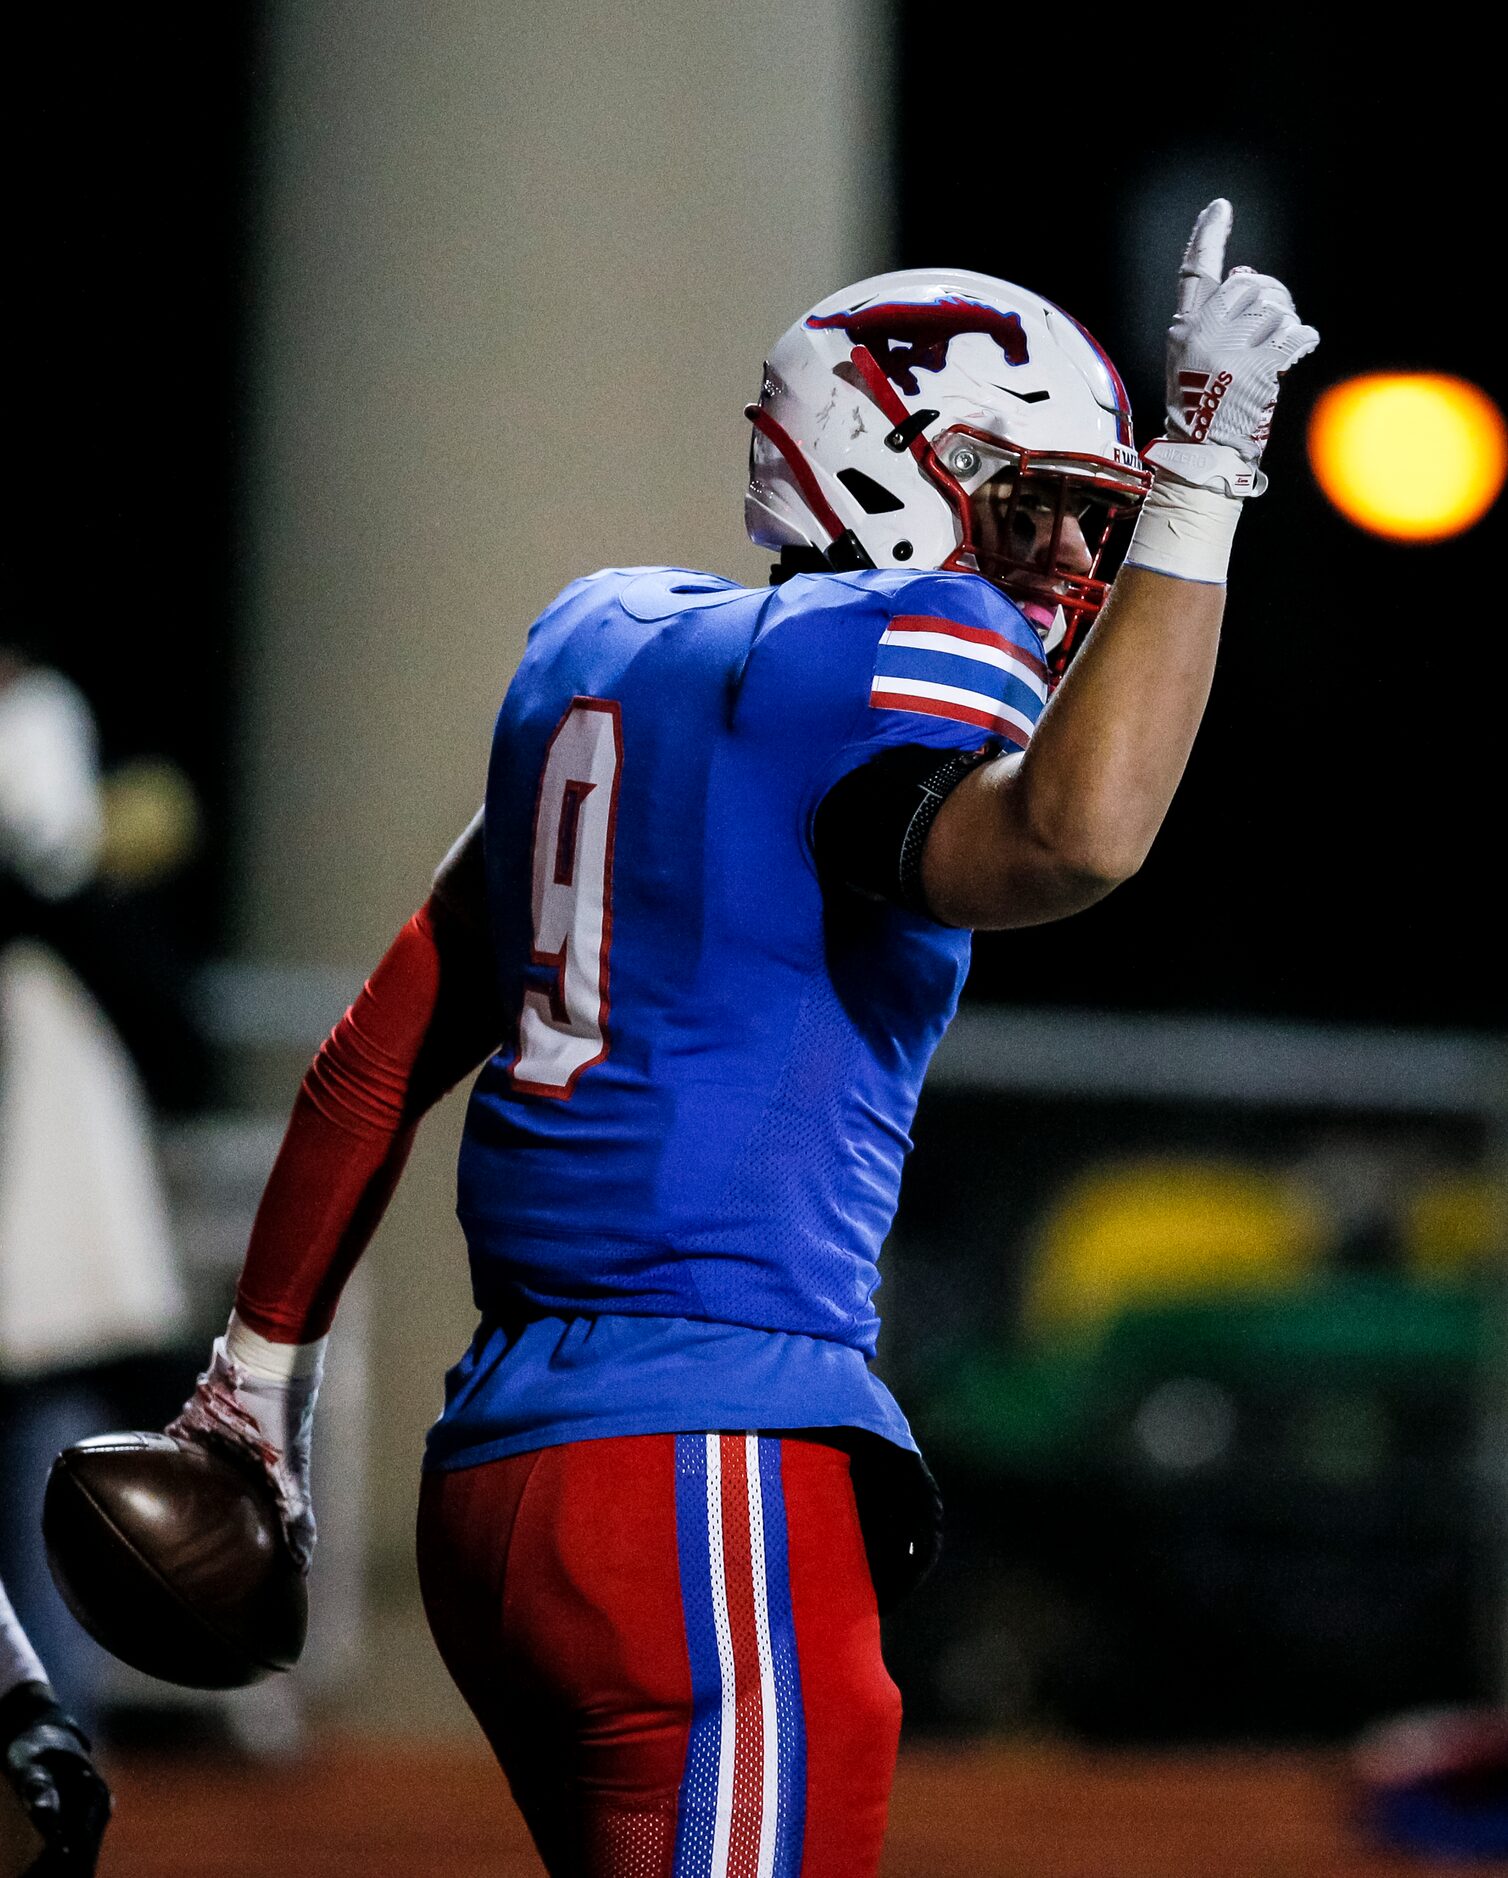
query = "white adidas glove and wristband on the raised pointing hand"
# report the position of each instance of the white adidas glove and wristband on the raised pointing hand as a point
(1231, 343)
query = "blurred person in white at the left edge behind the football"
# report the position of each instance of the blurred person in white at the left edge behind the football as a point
(87, 1261)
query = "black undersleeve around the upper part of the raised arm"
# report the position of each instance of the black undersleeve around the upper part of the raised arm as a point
(872, 827)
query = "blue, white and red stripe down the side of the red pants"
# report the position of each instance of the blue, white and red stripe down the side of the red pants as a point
(743, 1798)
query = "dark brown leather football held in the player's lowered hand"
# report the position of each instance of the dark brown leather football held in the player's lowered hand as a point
(174, 1558)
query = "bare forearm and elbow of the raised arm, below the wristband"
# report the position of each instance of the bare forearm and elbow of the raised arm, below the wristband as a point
(1045, 835)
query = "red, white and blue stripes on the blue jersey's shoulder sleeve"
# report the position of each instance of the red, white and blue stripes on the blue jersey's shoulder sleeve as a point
(968, 673)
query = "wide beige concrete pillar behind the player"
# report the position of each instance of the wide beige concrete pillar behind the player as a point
(517, 273)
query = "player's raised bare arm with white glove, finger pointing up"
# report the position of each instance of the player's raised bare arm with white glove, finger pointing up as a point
(1049, 833)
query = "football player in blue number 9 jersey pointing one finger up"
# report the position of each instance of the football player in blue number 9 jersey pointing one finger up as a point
(703, 940)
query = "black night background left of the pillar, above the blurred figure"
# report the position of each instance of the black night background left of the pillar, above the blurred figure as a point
(129, 318)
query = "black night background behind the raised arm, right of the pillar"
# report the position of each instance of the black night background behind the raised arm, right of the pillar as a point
(1331, 852)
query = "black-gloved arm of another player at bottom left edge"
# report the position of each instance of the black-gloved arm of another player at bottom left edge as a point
(48, 1761)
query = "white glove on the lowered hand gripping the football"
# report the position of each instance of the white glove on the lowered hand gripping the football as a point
(260, 1398)
